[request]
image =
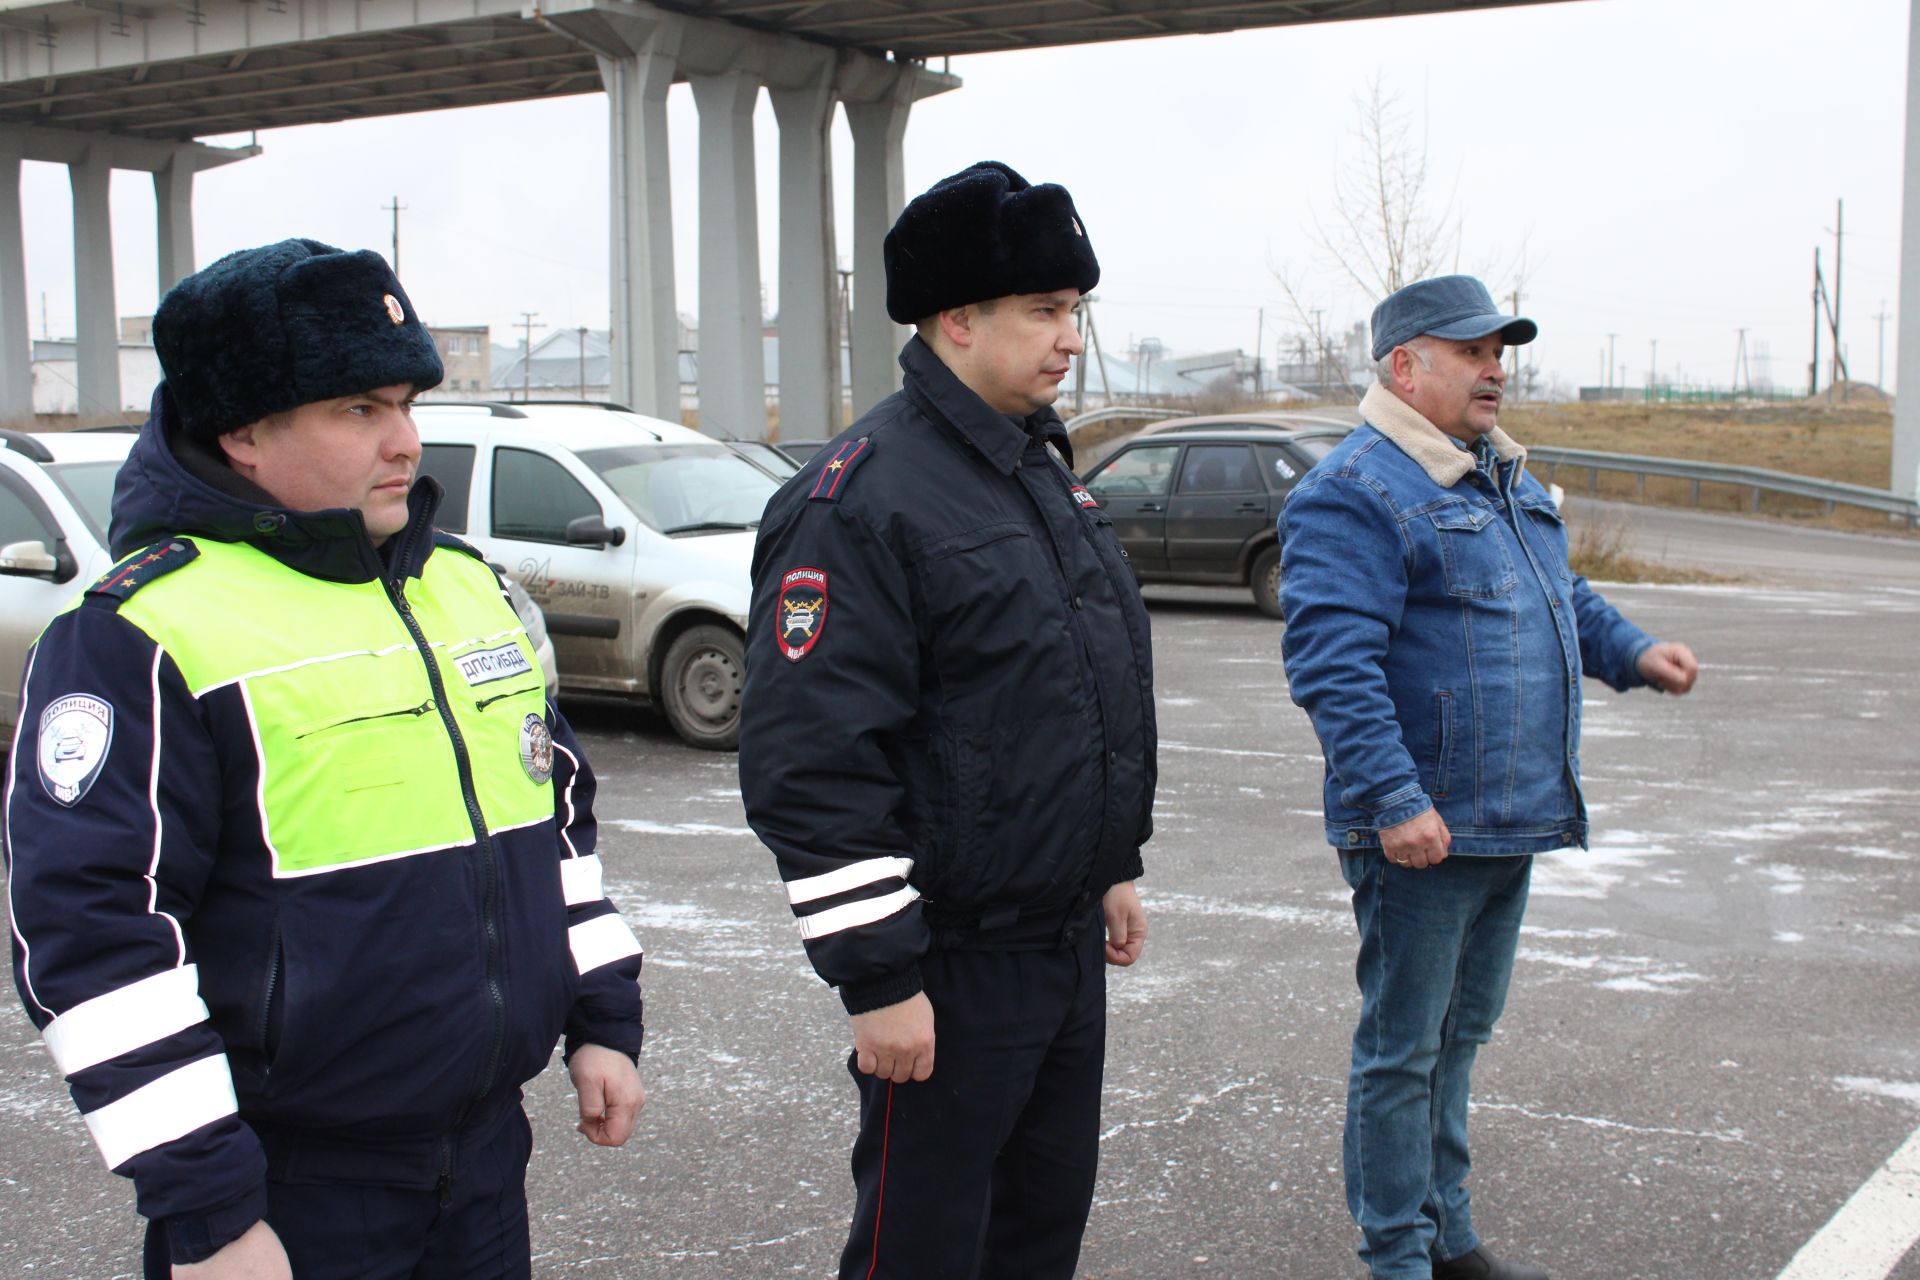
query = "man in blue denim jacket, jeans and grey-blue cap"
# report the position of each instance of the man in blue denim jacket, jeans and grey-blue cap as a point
(1437, 638)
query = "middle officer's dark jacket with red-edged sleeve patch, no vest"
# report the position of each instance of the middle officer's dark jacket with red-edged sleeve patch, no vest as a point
(949, 715)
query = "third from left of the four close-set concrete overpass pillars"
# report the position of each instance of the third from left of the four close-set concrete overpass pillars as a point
(809, 304)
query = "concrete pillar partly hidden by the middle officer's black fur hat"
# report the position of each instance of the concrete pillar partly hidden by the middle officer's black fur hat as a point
(878, 197)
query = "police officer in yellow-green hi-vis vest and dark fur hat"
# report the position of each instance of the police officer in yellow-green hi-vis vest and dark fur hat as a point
(302, 859)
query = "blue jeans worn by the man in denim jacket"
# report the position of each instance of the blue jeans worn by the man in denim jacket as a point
(1435, 959)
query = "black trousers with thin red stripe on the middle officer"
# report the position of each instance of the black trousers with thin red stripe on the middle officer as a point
(986, 1170)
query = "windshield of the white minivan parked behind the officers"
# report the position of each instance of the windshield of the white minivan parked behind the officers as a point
(686, 488)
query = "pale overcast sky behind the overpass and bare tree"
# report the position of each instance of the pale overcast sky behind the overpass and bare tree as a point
(1668, 166)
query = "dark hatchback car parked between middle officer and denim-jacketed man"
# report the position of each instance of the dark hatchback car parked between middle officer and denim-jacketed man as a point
(1201, 504)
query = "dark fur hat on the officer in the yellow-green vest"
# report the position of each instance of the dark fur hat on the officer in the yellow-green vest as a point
(291, 323)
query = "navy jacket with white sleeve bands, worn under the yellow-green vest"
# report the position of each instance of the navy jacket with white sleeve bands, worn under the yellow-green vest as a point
(370, 1020)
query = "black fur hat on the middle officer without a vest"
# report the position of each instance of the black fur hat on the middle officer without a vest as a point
(984, 233)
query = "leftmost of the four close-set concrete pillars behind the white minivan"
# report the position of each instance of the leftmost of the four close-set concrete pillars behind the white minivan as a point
(646, 325)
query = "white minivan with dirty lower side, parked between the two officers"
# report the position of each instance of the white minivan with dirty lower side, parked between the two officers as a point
(633, 534)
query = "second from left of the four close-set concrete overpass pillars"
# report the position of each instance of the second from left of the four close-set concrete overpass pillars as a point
(732, 364)
